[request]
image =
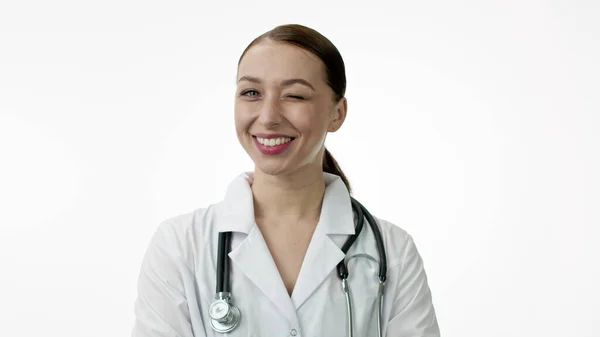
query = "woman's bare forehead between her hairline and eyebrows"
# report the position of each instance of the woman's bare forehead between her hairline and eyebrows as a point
(276, 61)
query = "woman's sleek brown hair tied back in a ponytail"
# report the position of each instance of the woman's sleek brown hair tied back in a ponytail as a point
(335, 72)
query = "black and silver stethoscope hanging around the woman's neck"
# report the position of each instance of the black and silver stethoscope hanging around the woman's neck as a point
(225, 316)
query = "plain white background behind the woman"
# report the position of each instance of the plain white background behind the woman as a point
(471, 124)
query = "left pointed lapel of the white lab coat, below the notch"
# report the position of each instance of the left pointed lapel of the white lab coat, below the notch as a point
(254, 260)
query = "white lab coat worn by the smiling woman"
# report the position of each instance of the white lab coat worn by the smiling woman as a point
(177, 280)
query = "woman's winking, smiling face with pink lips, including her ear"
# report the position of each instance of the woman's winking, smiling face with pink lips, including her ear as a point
(282, 93)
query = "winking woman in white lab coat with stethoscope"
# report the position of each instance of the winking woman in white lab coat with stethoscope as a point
(289, 218)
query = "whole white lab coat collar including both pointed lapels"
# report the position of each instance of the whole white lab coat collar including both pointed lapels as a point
(252, 256)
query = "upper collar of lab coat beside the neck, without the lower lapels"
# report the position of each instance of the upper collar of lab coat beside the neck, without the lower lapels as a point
(236, 212)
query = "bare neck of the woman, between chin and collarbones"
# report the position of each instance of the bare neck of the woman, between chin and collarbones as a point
(294, 197)
